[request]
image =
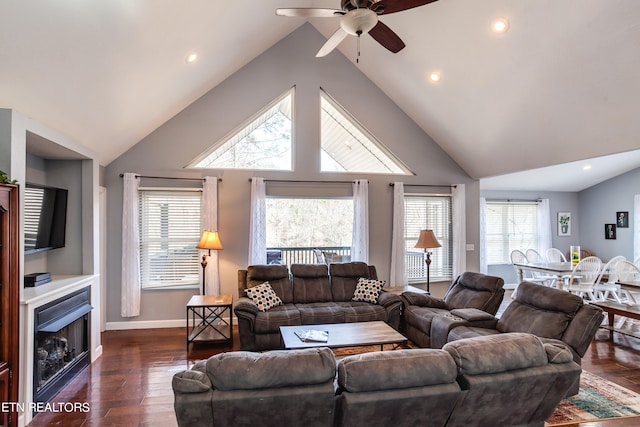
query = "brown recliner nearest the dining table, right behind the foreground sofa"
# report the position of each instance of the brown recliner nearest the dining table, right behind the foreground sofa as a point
(554, 315)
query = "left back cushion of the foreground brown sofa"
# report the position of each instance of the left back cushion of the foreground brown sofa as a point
(243, 370)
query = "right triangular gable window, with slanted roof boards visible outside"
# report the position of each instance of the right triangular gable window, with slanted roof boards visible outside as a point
(348, 147)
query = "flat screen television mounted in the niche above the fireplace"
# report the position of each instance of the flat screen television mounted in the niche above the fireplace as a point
(45, 217)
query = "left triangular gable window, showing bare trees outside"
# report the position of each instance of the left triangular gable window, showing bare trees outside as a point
(264, 142)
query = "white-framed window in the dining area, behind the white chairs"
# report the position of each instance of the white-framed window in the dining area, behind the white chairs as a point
(509, 226)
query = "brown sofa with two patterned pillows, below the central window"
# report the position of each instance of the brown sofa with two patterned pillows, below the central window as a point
(311, 294)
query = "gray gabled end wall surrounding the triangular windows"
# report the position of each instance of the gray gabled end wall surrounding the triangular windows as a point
(290, 62)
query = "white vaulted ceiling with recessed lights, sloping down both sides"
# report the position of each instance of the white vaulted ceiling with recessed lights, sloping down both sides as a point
(559, 86)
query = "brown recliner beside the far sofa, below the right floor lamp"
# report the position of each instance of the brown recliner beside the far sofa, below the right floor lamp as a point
(424, 314)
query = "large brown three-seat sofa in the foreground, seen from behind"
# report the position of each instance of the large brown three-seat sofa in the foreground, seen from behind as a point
(498, 380)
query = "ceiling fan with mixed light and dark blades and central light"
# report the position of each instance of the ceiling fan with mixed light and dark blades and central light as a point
(358, 17)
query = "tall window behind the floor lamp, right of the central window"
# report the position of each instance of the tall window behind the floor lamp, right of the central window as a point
(428, 212)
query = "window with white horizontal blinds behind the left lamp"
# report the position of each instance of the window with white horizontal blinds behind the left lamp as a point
(169, 233)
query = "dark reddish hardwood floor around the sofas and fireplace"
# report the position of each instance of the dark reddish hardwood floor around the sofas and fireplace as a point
(130, 385)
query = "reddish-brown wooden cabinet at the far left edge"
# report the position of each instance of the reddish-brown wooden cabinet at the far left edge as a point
(9, 300)
